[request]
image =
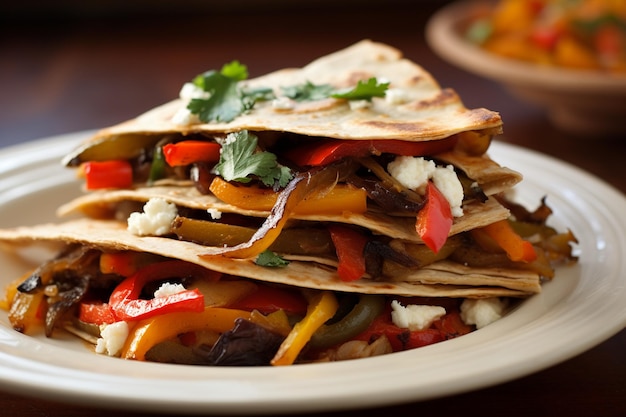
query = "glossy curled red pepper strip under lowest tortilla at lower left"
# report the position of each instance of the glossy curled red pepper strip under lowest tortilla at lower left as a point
(125, 300)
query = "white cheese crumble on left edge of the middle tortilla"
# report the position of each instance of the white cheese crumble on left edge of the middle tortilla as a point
(156, 219)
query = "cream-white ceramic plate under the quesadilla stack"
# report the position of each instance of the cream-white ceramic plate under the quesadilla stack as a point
(582, 307)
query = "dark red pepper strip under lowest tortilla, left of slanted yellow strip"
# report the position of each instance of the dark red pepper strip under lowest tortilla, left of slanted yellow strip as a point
(268, 299)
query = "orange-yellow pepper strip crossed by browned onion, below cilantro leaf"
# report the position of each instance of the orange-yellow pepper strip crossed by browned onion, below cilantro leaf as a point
(341, 198)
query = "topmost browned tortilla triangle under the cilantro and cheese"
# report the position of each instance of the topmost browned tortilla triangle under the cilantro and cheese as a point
(429, 113)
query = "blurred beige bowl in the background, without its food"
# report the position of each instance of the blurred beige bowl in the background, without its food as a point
(577, 101)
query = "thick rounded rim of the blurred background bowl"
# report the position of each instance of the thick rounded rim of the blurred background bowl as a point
(442, 35)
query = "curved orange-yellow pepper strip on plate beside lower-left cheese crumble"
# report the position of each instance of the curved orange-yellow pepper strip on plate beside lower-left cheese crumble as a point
(149, 332)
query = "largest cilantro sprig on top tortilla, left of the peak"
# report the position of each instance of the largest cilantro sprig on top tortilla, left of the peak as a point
(226, 99)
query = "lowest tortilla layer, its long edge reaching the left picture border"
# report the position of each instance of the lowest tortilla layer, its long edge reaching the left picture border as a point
(437, 280)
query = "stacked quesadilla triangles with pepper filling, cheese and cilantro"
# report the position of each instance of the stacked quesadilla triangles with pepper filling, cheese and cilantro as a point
(354, 180)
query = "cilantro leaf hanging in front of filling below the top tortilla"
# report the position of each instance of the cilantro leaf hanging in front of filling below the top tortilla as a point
(239, 160)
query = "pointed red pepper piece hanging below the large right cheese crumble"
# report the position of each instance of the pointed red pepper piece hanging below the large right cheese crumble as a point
(434, 220)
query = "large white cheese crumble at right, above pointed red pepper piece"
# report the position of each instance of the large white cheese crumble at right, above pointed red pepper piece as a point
(414, 173)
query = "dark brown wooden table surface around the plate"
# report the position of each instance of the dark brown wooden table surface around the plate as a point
(68, 72)
